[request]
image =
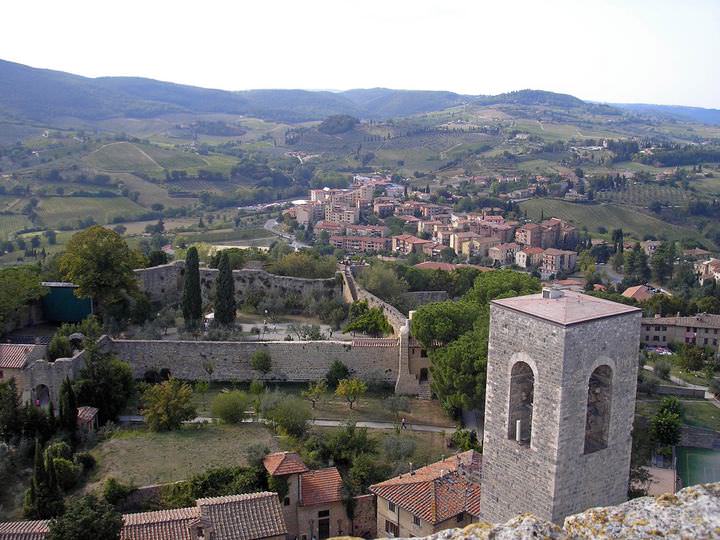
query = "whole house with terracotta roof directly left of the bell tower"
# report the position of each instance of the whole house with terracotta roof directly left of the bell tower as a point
(440, 496)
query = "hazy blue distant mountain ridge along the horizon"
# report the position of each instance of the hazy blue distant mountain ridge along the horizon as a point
(43, 95)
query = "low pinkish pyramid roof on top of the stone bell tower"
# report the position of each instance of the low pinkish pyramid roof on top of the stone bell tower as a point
(565, 307)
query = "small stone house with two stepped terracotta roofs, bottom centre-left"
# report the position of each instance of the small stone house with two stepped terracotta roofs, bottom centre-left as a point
(313, 507)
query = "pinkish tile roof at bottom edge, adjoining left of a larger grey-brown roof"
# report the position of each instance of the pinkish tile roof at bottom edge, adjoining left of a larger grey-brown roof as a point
(160, 525)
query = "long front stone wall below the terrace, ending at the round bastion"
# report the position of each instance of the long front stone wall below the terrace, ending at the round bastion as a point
(297, 361)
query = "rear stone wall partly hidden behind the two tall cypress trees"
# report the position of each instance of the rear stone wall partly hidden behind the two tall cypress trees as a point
(164, 283)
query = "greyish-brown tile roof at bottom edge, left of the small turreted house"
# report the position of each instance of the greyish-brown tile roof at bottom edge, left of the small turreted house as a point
(250, 516)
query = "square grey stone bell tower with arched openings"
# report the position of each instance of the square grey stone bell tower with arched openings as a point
(560, 402)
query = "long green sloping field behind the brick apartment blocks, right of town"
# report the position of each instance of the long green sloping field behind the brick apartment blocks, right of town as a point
(610, 216)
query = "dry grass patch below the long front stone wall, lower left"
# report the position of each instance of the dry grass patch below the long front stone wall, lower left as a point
(141, 457)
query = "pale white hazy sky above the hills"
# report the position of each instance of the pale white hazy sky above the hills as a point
(650, 51)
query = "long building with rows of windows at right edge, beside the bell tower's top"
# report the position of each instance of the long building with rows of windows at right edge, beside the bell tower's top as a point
(702, 329)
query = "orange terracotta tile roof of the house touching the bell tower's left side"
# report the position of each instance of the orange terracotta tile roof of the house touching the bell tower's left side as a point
(439, 491)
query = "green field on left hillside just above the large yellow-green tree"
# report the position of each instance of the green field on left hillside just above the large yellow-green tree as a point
(55, 211)
